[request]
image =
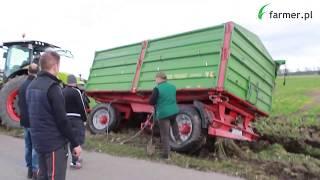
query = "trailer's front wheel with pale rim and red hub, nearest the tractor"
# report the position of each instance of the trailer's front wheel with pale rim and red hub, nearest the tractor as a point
(103, 118)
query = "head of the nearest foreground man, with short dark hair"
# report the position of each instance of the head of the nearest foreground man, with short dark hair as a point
(48, 59)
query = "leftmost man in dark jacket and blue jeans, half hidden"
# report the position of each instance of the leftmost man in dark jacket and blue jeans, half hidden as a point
(31, 157)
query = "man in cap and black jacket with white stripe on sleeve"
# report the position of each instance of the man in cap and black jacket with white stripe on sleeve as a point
(76, 113)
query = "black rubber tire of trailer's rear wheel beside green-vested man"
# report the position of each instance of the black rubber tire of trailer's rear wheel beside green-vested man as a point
(194, 142)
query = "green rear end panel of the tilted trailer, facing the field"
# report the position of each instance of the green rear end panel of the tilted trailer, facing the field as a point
(251, 71)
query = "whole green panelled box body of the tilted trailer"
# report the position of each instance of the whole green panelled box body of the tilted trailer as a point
(191, 60)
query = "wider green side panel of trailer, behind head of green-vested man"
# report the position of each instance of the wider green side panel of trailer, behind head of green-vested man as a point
(190, 60)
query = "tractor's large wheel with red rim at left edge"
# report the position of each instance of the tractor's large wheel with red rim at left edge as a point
(9, 110)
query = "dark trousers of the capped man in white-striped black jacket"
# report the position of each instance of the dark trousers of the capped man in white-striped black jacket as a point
(78, 130)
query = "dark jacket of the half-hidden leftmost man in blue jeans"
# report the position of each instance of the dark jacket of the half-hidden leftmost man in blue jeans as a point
(22, 103)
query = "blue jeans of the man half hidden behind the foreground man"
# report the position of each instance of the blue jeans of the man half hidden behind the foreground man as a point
(31, 156)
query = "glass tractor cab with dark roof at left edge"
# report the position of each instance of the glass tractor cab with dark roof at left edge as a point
(18, 55)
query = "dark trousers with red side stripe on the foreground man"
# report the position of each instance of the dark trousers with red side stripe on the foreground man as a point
(53, 165)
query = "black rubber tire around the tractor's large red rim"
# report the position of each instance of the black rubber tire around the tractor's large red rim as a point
(8, 87)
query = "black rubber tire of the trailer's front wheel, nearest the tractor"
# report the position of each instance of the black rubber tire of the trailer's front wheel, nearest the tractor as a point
(114, 119)
